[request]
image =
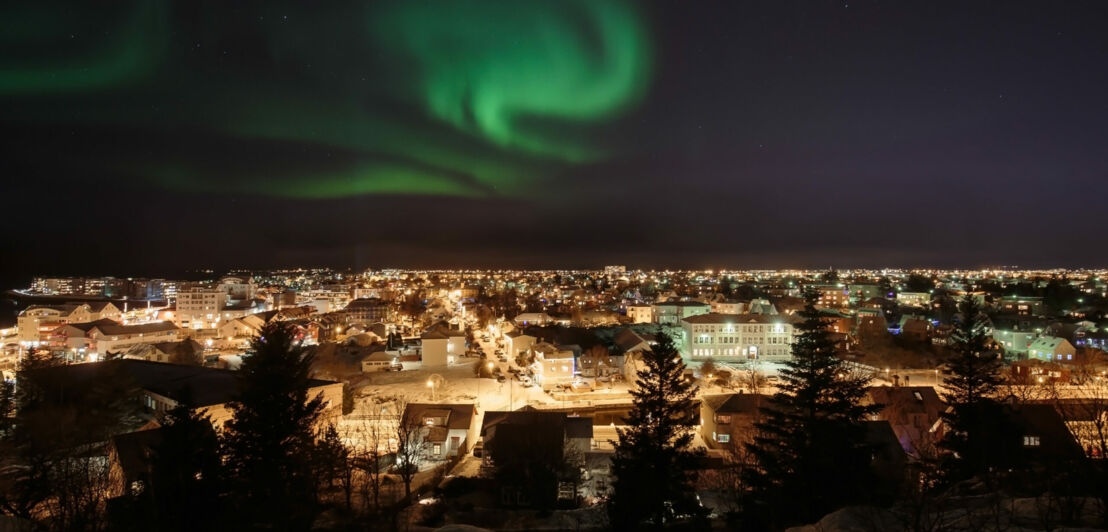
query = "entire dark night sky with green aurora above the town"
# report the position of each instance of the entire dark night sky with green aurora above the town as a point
(150, 138)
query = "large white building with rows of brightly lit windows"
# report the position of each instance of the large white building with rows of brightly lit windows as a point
(738, 336)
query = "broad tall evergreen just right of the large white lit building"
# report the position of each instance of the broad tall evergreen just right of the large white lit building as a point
(809, 446)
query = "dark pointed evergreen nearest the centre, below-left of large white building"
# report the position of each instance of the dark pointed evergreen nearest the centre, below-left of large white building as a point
(653, 466)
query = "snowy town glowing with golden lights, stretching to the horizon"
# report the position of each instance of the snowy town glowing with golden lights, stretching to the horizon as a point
(461, 353)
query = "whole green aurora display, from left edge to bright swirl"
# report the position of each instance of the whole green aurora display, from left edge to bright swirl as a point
(444, 98)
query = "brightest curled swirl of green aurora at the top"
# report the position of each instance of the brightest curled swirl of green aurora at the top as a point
(487, 70)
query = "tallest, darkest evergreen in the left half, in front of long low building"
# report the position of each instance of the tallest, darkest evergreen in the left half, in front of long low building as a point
(271, 438)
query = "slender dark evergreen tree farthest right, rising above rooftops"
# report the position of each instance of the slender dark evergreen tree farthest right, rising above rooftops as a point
(976, 376)
